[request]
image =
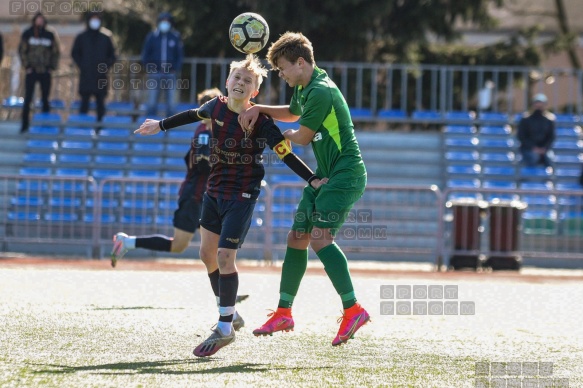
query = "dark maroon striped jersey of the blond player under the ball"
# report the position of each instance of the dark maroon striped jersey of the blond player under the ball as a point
(236, 157)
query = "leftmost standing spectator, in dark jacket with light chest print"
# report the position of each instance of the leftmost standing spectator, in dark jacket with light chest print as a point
(39, 52)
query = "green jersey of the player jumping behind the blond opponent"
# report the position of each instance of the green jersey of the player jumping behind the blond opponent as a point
(323, 109)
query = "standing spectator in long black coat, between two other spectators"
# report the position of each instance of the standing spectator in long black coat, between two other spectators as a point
(94, 53)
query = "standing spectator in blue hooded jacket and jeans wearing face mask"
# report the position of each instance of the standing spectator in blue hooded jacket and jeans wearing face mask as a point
(162, 56)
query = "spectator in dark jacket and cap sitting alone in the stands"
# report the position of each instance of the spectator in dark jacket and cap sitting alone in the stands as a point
(536, 133)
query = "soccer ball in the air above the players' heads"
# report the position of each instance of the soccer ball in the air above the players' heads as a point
(249, 32)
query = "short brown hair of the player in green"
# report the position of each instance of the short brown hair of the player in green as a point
(291, 46)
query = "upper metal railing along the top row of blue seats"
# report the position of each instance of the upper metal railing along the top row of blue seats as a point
(377, 89)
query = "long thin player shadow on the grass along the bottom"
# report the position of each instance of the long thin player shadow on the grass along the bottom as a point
(159, 367)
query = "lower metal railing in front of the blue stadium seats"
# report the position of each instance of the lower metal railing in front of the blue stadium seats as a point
(396, 223)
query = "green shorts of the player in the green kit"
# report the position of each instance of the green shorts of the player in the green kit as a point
(327, 207)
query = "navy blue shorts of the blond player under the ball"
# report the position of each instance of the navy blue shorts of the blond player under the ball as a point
(227, 218)
